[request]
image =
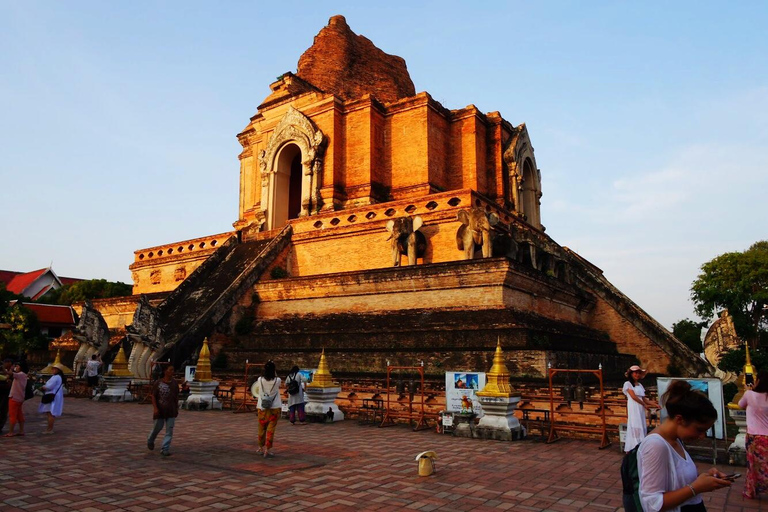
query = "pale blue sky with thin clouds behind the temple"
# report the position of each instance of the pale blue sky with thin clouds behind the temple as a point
(649, 120)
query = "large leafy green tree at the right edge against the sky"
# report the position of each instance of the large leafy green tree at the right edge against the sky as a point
(737, 281)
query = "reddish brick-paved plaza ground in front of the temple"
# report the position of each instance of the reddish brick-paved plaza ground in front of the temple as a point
(98, 460)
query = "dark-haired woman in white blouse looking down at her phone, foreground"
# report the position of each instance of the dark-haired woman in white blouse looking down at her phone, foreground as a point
(669, 479)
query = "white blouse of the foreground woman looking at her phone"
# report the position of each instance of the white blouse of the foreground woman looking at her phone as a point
(661, 470)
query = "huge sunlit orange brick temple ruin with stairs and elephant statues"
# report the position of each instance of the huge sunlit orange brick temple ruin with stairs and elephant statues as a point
(382, 226)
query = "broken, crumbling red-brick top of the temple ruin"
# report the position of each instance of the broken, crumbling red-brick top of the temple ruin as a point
(350, 66)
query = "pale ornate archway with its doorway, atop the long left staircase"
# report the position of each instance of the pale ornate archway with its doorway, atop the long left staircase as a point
(295, 135)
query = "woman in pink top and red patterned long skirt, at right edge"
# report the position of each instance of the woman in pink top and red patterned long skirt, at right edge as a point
(755, 401)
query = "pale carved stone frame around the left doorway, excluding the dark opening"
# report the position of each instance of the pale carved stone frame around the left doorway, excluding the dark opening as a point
(295, 128)
